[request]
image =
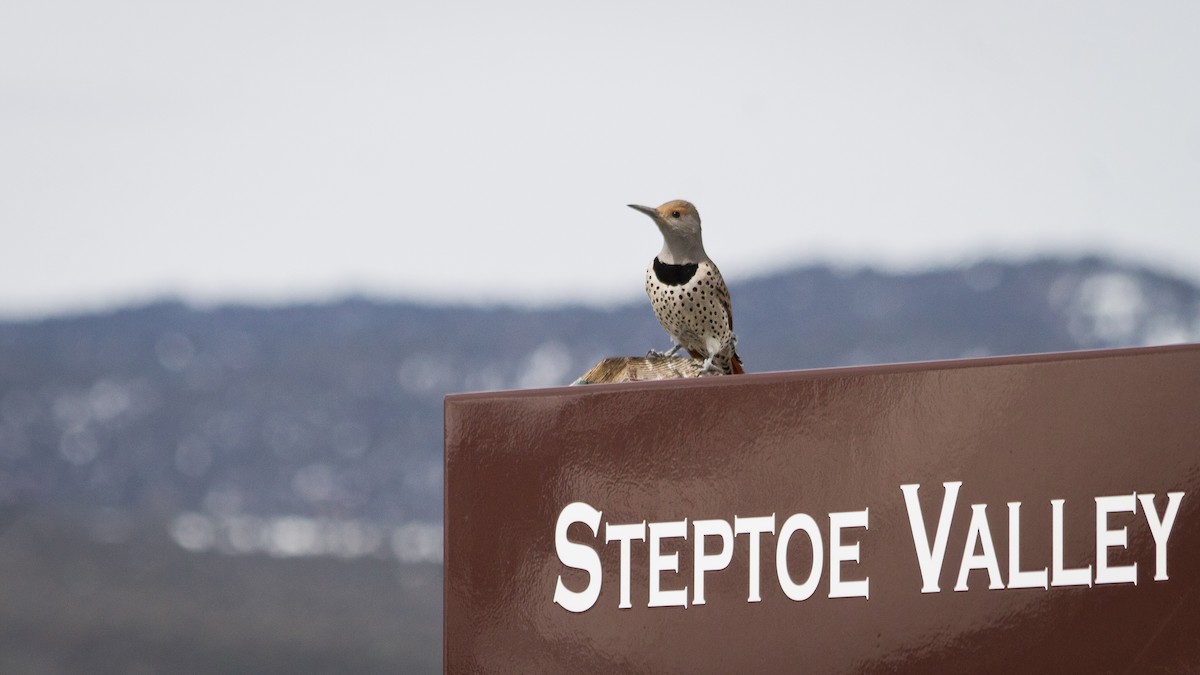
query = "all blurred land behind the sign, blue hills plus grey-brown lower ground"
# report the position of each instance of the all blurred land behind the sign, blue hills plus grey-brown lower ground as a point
(136, 447)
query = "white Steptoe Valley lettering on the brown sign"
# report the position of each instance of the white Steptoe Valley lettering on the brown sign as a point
(979, 551)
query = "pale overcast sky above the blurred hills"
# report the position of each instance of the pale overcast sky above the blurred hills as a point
(266, 152)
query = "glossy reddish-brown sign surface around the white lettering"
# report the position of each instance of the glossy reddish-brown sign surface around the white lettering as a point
(1019, 429)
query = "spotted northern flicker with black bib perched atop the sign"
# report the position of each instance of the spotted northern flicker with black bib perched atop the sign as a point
(687, 291)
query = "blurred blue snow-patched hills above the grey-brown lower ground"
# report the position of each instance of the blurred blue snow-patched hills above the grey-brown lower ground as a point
(335, 410)
